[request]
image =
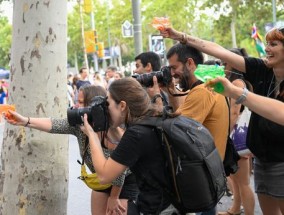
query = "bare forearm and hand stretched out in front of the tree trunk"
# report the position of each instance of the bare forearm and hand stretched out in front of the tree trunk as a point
(43, 124)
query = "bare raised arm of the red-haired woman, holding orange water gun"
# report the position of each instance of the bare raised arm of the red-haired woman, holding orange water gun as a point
(210, 48)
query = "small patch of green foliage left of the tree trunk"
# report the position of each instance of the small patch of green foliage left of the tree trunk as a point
(5, 42)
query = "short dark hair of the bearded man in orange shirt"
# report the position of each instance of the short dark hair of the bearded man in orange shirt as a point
(184, 52)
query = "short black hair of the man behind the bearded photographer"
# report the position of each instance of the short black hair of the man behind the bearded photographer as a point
(150, 57)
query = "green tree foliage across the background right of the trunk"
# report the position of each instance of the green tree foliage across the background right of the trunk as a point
(185, 15)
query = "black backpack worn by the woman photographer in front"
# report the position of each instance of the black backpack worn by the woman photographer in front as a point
(193, 163)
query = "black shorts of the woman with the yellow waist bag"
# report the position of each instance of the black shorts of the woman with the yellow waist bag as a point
(129, 190)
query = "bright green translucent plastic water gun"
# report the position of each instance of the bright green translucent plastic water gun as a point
(206, 73)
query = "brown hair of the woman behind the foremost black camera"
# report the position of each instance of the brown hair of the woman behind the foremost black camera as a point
(90, 91)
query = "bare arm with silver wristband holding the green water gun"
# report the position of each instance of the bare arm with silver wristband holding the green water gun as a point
(269, 108)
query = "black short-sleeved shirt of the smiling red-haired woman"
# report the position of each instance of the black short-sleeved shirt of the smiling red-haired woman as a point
(265, 138)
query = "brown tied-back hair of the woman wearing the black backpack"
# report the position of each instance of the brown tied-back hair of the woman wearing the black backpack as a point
(137, 100)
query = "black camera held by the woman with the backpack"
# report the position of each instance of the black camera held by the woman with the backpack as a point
(97, 114)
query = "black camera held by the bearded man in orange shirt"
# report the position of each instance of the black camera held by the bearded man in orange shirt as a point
(164, 77)
